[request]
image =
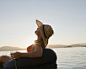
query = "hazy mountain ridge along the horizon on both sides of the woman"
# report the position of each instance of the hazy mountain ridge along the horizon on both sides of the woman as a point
(10, 48)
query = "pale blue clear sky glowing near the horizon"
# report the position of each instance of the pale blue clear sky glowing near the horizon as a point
(18, 21)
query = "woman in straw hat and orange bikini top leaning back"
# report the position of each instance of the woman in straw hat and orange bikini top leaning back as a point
(43, 32)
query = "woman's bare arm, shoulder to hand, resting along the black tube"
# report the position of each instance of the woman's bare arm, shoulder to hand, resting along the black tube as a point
(37, 52)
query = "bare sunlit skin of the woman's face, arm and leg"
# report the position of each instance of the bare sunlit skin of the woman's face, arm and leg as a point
(35, 52)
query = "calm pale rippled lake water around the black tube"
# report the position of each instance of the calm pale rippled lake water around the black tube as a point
(67, 58)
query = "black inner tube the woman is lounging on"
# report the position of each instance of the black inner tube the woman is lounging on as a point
(48, 57)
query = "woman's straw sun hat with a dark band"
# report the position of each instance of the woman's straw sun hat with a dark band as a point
(45, 30)
